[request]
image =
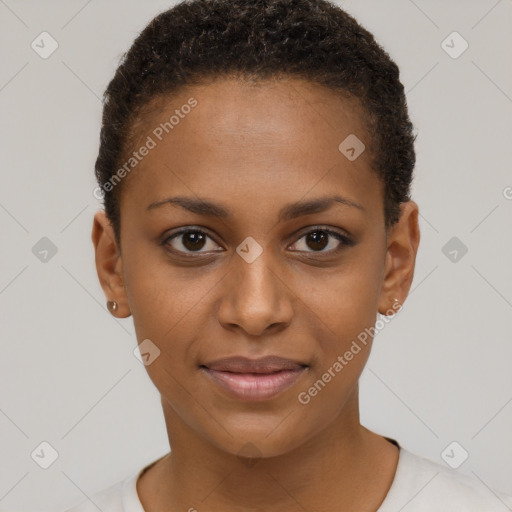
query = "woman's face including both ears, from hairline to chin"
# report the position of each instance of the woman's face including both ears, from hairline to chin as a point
(290, 258)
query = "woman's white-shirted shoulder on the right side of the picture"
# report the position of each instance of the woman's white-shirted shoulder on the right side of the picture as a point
(423, 485)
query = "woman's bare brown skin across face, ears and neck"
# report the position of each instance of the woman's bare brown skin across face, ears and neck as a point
(253, 149)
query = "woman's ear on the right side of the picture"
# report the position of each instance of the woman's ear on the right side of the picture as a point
(402, 241)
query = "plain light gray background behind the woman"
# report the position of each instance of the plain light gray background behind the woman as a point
(439, 372)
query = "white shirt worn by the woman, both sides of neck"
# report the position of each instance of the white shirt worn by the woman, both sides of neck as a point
(419, 485)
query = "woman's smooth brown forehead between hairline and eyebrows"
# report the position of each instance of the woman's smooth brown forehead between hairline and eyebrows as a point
(248, 137)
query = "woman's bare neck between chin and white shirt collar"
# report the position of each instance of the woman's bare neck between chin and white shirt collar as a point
(330, 471)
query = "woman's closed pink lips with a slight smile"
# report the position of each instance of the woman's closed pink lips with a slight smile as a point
(254, 379)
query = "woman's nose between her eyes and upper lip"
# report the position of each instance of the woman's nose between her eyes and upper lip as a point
(256, 298)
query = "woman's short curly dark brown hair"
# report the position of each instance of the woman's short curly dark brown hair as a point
(313, 40)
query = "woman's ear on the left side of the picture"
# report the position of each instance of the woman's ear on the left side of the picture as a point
(109, 264)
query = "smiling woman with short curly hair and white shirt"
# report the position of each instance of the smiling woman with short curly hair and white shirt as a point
(256, 160)
